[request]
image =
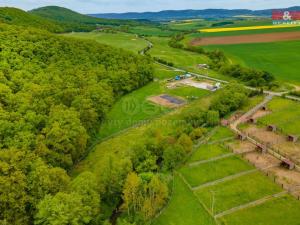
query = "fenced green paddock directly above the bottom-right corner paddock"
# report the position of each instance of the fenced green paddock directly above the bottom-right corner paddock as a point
(238, 191)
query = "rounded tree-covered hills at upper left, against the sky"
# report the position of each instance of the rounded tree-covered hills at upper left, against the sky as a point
(57, 19)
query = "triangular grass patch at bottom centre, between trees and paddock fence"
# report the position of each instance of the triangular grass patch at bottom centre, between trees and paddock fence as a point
(183, 208)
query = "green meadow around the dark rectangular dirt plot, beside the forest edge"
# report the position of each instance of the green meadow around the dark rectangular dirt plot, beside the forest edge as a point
(134, 108)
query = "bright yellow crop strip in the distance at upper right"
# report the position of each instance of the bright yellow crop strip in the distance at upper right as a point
(212, 30)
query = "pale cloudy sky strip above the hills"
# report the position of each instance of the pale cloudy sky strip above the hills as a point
(109, 6)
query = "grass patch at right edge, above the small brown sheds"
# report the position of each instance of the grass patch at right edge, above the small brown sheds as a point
(285, 115)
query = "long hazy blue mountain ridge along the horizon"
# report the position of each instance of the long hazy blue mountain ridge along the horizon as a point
(189, 14)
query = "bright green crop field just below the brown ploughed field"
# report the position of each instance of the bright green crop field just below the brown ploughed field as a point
(279, 58)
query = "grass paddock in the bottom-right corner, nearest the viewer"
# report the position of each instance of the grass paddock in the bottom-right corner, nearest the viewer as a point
(280, 211)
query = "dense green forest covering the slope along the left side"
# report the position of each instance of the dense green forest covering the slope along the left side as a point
(54, 92)
